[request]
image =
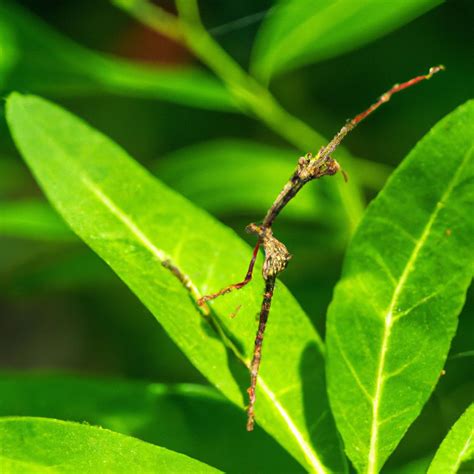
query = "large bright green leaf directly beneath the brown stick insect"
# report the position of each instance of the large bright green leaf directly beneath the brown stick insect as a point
(135, 223)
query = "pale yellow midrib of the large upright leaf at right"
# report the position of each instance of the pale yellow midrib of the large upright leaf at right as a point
(389, 320)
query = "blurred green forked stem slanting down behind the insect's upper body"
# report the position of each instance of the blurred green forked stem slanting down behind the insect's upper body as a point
(252, 97)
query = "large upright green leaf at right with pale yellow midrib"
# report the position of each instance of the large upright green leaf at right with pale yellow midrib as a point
(404, 281)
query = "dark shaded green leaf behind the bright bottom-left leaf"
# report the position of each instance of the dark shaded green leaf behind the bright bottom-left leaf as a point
(189, 419)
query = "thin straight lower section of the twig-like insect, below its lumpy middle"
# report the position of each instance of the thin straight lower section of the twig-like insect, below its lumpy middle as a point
(257, 351)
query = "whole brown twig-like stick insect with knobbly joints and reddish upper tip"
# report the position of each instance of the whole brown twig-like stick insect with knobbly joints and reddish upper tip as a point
(276, 255)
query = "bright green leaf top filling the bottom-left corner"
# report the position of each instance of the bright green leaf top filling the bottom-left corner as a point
(39, 445)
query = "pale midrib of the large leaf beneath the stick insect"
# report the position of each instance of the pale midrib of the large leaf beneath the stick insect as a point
(309, 454)
